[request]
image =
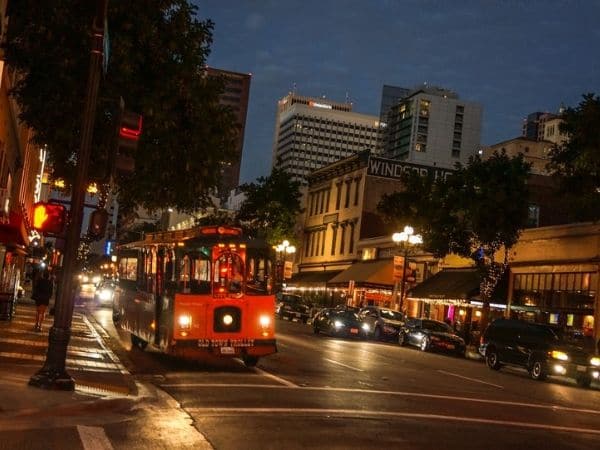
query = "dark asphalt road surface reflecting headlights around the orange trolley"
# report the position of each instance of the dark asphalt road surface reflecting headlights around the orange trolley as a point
(323, 392)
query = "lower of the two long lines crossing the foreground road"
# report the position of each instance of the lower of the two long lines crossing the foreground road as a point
(360, 413)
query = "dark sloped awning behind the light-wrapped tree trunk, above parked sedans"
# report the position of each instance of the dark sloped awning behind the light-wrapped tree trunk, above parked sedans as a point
(448, 284)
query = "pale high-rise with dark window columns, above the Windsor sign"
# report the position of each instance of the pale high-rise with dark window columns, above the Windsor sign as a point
(433, 127)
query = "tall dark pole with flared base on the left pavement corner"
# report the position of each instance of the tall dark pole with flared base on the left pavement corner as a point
(53, 374)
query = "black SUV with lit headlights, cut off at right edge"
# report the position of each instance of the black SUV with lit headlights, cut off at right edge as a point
(537, 348)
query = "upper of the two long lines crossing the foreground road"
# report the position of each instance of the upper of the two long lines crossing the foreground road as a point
(388, 393)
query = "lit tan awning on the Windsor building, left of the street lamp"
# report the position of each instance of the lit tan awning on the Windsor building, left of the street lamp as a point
(378, 274)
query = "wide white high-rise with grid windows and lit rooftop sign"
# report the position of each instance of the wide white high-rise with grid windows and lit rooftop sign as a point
(313, 132)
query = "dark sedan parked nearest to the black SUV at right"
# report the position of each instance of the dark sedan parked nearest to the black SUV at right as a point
(430, 334)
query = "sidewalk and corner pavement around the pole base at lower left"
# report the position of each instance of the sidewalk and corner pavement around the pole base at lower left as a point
(108, 408)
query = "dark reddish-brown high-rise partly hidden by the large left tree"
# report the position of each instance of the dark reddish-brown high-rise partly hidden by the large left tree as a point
(235, 95)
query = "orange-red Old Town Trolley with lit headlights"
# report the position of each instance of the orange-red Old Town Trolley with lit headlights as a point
(197, 292)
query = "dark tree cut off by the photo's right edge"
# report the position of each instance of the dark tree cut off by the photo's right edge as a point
(576, 162)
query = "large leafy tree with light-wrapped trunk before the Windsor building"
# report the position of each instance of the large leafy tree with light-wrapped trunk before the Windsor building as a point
(479, 209)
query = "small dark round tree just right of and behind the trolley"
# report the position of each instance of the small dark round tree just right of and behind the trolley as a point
(271, 207)
